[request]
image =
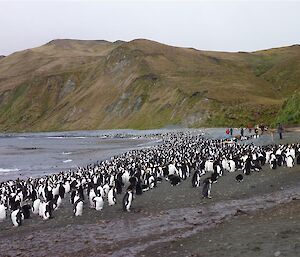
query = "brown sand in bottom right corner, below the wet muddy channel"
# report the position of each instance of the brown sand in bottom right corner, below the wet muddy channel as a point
(271, 232)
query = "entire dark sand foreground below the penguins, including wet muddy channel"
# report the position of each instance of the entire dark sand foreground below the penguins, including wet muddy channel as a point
(257, 217)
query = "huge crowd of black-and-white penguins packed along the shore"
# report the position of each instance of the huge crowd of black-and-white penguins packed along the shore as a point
(138, 171)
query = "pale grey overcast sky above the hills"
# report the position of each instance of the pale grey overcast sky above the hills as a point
(208, 25)
